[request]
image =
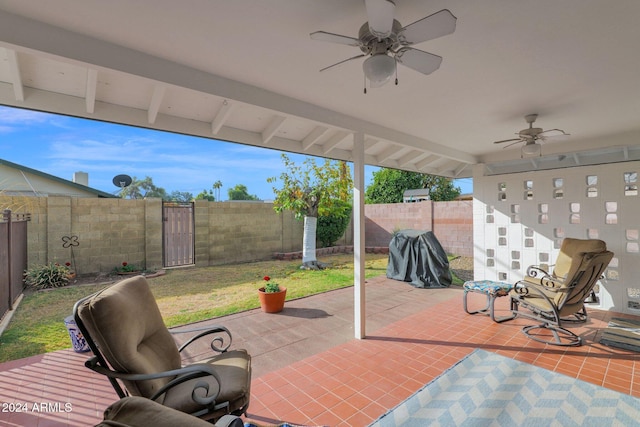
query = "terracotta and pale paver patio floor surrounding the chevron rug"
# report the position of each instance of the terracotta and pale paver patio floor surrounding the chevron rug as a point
(309, 370)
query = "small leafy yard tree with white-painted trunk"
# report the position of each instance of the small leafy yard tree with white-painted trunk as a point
(309, 191)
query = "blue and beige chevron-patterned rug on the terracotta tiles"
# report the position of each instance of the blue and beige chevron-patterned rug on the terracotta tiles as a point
(486, 389)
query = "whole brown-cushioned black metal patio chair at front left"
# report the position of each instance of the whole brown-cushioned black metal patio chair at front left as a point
(133, 347)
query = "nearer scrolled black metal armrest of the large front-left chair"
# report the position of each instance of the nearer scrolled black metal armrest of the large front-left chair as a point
(187, 373)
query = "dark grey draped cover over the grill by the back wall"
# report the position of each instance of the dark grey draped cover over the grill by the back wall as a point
(417, 257)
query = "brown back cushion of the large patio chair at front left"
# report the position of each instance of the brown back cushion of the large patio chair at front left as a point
(126, 323)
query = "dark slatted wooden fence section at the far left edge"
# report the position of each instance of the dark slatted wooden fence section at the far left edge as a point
(13, 257)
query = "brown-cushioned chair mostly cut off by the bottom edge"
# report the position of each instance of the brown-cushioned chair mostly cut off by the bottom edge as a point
(134, 411)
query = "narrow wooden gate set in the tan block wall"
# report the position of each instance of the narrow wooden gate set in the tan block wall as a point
(178, 234)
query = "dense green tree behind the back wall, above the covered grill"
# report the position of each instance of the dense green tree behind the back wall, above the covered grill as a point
(388, 186)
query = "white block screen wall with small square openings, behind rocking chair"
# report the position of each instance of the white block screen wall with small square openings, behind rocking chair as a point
(521, 219)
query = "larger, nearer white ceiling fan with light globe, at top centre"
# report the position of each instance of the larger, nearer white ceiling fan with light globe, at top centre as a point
(386, 42)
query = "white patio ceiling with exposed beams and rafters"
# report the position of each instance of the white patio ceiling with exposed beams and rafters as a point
(247, 71)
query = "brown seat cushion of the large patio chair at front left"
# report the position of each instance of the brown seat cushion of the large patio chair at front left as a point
(234, 369)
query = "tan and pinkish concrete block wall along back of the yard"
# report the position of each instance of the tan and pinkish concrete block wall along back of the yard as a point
(110, 231)
